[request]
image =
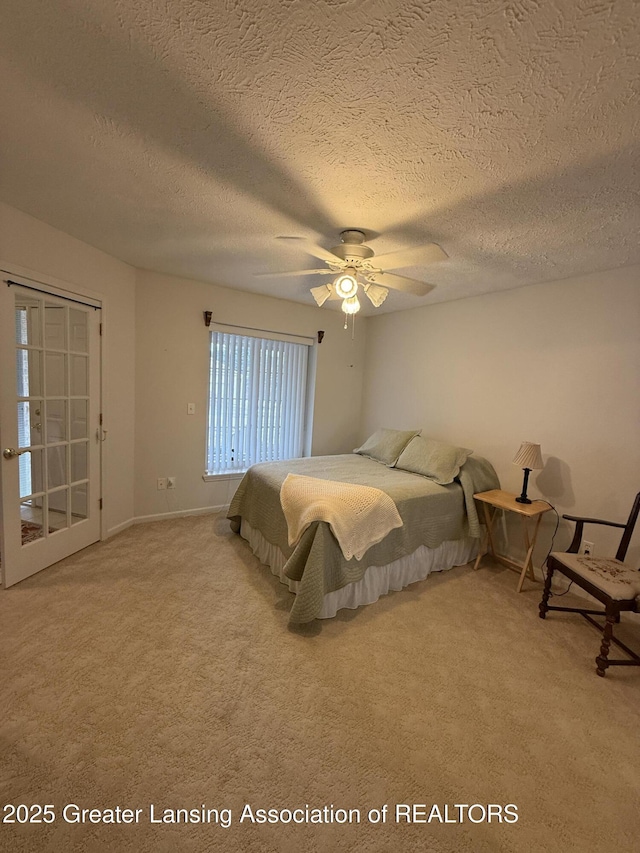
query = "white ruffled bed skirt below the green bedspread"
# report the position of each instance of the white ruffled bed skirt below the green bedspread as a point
(377, 580)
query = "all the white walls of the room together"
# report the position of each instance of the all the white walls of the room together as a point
(554, 363)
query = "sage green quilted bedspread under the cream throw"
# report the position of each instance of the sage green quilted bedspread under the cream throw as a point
(431, 514)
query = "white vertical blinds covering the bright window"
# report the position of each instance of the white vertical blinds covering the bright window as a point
(257, 401)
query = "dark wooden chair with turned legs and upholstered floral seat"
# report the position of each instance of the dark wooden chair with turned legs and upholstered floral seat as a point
(614, 584)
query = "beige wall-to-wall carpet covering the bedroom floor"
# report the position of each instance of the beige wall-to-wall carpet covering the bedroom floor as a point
(157, 668)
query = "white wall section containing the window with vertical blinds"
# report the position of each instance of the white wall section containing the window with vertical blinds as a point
(172, 363)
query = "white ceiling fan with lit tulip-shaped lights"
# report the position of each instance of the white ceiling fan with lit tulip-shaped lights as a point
(352, 265)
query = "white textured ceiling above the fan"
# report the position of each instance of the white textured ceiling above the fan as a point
(186, 136)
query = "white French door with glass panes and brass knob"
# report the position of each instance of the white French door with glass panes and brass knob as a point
(49, 429)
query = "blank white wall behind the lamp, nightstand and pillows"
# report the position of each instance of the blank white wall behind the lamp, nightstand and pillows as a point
(557, 364)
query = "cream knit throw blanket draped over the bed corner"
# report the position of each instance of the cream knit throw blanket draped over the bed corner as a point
(359, 516)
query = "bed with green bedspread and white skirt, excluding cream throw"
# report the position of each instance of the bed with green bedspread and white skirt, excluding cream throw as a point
(440, 529)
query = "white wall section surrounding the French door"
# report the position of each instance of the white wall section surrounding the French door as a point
(31, 247)
